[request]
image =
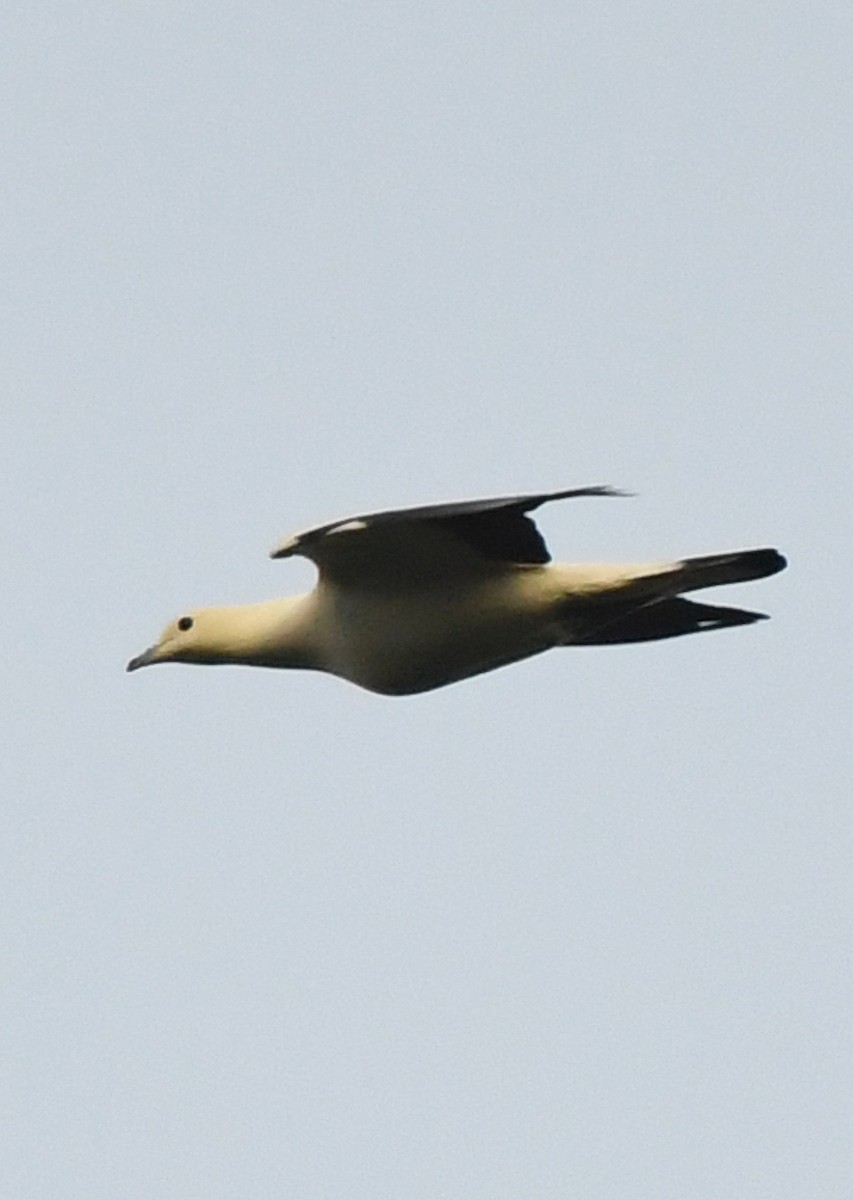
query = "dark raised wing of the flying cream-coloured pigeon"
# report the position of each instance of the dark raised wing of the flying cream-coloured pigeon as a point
(464, 539)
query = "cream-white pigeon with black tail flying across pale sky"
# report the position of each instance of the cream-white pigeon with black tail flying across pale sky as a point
(415, 599)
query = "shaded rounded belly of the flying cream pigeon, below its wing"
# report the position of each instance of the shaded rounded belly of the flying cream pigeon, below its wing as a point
(403, 646)
